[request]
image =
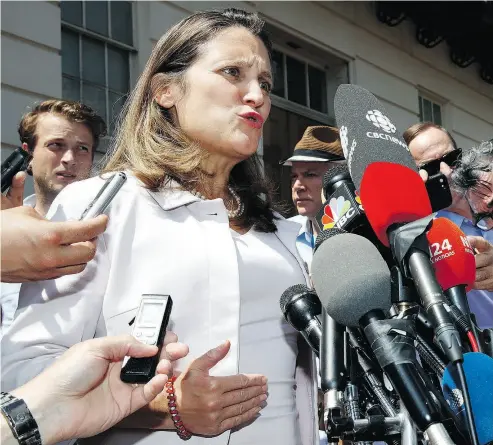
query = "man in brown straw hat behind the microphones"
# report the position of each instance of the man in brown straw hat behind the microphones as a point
(318, 150)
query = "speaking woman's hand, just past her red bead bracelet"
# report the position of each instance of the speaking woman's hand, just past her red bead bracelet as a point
(209, 405)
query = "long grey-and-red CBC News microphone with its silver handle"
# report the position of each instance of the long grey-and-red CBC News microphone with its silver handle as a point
(393, 195)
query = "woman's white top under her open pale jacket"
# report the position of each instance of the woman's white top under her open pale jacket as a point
(267, 343)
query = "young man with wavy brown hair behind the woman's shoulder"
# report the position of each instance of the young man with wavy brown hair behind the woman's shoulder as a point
(62, 137)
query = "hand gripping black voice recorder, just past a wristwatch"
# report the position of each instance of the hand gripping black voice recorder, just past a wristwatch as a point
(81, 394)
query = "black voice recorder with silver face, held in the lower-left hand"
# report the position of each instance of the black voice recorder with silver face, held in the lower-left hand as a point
(149, 328)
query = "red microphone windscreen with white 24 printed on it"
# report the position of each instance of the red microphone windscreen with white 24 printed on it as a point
(451, 255)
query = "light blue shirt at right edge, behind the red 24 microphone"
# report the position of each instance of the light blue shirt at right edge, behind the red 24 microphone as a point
(480, 301)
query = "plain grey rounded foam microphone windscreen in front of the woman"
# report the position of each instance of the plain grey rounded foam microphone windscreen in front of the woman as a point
(350, 278)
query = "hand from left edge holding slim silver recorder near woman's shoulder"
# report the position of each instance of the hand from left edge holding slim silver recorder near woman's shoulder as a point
(36, 249)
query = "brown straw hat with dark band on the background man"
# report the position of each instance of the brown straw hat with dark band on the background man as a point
(318, 144)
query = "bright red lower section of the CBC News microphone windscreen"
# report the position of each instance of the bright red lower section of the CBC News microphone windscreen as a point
(390, 194)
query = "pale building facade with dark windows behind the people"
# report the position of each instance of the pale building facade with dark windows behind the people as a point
(94, 51)
